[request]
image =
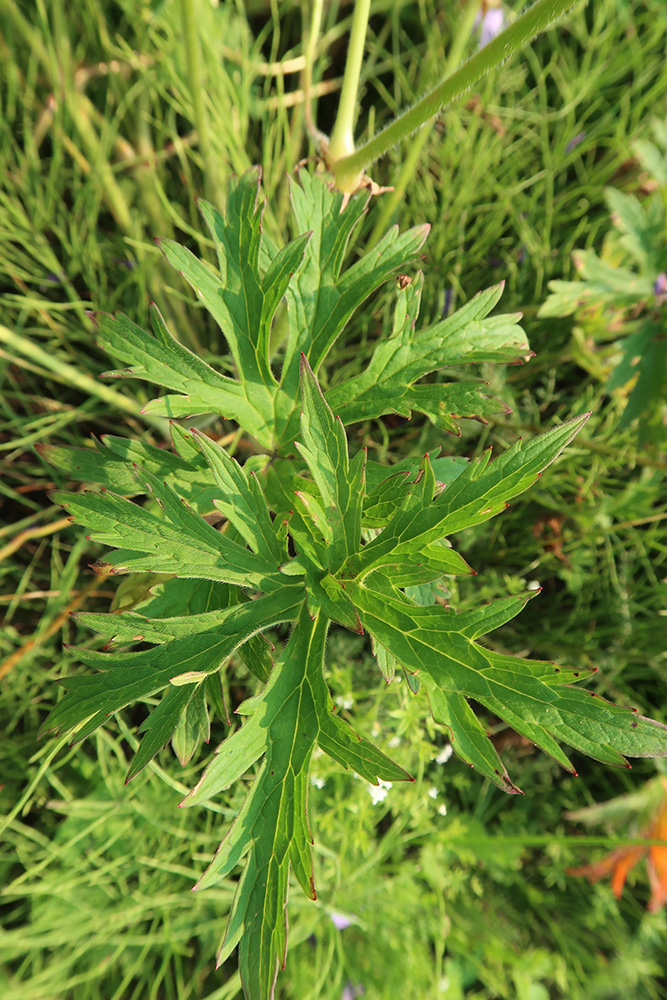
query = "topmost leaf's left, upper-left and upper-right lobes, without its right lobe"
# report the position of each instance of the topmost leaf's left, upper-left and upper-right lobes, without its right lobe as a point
(243, 296)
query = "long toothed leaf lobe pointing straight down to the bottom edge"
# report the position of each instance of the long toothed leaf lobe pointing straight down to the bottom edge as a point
(285, 723)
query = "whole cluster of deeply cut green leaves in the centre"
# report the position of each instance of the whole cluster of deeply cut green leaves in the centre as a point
(304, 535)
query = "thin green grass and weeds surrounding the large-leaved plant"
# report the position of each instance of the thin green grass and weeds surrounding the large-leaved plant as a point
(99, 152)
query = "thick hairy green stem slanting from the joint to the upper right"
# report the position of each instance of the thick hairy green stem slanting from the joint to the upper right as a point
(348, 169)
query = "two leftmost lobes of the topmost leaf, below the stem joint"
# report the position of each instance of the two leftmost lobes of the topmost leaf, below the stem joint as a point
(241, 300)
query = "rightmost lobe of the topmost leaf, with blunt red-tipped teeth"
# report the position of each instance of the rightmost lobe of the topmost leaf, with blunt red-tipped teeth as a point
(387, 385)
